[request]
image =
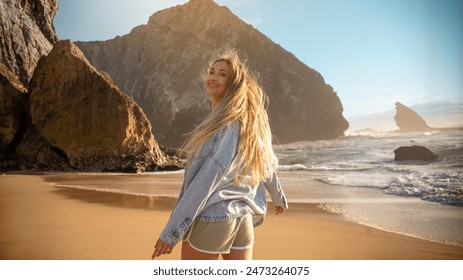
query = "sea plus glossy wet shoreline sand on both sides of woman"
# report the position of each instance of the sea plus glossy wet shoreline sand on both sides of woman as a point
(354, 176)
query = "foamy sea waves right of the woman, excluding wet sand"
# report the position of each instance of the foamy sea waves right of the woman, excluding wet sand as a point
(368, 161)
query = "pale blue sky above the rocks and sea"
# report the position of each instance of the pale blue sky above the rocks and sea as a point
(372, 52)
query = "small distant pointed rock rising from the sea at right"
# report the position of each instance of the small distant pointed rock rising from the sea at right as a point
(408, 120)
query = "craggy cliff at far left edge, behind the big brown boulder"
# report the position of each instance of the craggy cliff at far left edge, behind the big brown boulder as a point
(26, 33)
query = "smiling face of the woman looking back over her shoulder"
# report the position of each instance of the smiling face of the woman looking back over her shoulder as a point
(216, 80)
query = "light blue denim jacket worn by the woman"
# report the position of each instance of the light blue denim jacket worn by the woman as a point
(208, 192)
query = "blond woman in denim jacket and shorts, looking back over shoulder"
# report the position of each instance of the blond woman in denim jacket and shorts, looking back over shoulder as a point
(230, 164)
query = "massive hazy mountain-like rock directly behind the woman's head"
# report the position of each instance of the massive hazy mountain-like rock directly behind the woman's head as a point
(160, 65)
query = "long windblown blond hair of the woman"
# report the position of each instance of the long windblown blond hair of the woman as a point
(243, 101)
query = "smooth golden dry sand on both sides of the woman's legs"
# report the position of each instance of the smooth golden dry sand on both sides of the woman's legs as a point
(41, 221)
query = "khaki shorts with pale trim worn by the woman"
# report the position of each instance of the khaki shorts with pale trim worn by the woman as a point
(220, 237)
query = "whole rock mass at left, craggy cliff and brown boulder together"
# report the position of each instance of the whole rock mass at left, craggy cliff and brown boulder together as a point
(68, 116)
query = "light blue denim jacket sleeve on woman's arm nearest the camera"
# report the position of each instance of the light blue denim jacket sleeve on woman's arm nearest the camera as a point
(213, 159)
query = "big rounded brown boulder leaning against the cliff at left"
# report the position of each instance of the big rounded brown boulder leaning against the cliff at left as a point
(83, 114)
